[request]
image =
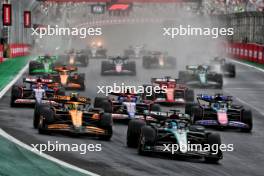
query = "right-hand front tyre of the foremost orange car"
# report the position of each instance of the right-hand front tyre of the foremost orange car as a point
(106, 123)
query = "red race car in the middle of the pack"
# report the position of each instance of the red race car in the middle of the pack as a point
(172, 93)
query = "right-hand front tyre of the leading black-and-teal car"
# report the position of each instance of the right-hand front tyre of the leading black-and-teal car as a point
(214, 156)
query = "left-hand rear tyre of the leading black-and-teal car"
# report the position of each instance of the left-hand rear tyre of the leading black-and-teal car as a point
(133, 132)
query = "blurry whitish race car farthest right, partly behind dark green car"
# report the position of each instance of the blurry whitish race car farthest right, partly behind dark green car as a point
(220, 65)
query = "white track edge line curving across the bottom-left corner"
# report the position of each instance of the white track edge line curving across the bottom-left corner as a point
(46, 156)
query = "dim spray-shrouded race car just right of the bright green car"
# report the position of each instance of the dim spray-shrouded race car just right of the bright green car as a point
(75, 58)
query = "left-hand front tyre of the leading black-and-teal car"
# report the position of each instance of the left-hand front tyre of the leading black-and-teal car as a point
(147, 138)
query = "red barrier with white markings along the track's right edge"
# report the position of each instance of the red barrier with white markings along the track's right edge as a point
(246, 51)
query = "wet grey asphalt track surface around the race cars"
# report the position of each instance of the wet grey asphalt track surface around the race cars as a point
(116, 159)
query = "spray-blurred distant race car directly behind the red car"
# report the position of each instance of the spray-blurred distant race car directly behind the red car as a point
(158, 60)
